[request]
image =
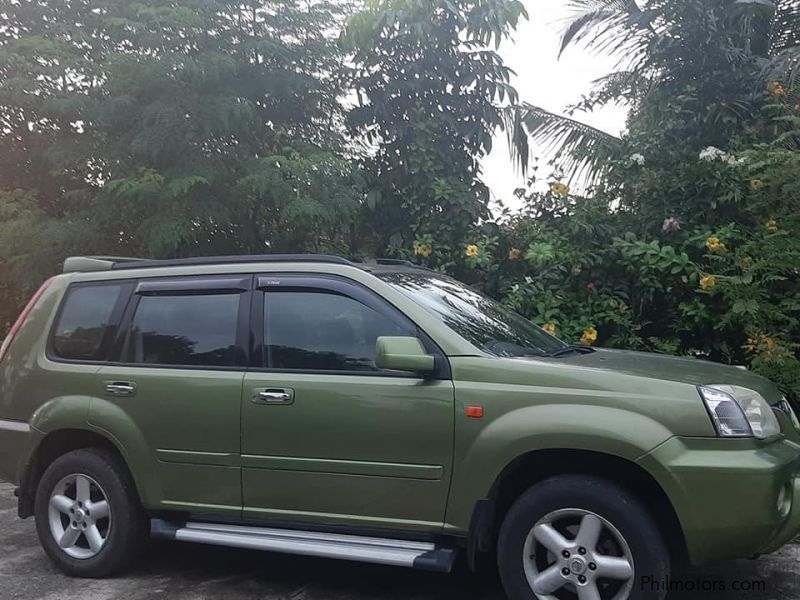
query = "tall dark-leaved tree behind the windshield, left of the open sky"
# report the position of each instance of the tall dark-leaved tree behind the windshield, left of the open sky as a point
(427, 85)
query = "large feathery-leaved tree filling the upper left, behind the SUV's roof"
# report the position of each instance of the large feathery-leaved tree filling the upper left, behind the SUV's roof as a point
(169, 128)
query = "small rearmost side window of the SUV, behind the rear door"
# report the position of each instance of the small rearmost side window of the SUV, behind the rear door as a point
(84, 327)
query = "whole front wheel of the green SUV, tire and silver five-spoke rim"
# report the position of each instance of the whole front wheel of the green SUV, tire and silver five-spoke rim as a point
(584, 537)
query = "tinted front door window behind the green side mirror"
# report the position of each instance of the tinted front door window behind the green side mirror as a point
(323, 331)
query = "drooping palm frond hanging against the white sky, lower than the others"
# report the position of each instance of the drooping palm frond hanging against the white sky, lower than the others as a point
(576, 146)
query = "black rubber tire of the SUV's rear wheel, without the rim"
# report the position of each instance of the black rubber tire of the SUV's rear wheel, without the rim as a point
(129, 526)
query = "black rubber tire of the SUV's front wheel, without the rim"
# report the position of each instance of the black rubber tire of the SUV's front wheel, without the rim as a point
(611, 502)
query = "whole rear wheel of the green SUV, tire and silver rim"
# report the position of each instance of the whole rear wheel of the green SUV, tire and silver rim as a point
(88, 515)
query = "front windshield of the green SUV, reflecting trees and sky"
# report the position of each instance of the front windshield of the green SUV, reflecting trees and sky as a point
(482, 321)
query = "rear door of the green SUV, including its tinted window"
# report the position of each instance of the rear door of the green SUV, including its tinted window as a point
(178, 376)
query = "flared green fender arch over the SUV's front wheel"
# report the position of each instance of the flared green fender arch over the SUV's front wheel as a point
(483, 452)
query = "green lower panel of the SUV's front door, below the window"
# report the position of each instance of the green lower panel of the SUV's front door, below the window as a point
(351, 449)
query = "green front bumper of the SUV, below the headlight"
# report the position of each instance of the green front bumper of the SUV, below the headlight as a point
(726, 493)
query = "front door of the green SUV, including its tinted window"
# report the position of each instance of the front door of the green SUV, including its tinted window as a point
(326, 436)
